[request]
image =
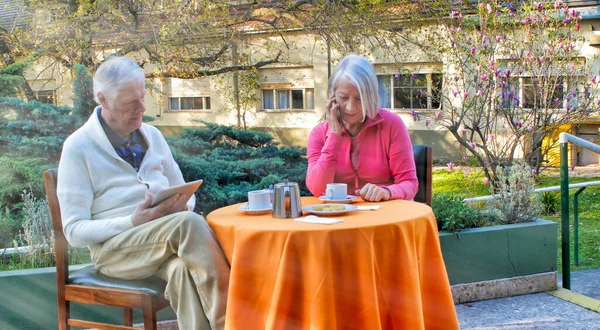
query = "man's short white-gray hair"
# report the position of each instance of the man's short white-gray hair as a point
(115, 73)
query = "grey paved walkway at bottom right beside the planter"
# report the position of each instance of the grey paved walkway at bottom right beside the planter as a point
(537, 311)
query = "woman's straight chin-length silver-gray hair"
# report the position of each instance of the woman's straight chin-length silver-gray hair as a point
(360, 72)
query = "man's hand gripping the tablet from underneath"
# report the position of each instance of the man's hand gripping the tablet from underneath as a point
(145, 213)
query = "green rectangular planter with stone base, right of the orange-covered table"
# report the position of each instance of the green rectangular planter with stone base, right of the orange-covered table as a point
(506, 257)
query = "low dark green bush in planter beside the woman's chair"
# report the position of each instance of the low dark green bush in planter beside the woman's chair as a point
(453, 214)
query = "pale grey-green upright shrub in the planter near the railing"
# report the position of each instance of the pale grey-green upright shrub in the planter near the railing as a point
(515, 201)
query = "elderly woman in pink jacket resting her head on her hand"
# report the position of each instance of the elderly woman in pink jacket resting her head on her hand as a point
(359, 144)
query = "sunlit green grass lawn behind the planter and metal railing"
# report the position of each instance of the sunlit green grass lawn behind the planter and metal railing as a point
(445, 181)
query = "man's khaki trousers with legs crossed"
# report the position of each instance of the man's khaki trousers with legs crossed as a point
(182, 249)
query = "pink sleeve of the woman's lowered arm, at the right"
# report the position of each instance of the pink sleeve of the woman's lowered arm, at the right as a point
(402, 164)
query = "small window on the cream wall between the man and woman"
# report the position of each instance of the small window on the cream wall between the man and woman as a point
(288, 99)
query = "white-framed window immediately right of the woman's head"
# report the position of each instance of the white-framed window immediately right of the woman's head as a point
(410, 91)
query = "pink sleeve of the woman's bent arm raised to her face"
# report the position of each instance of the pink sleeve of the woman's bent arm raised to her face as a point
(322, 150)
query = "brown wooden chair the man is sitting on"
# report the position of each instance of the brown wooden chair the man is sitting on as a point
(89, 286)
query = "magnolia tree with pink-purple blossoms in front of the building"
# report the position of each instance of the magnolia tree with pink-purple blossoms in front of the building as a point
(513, 76)
